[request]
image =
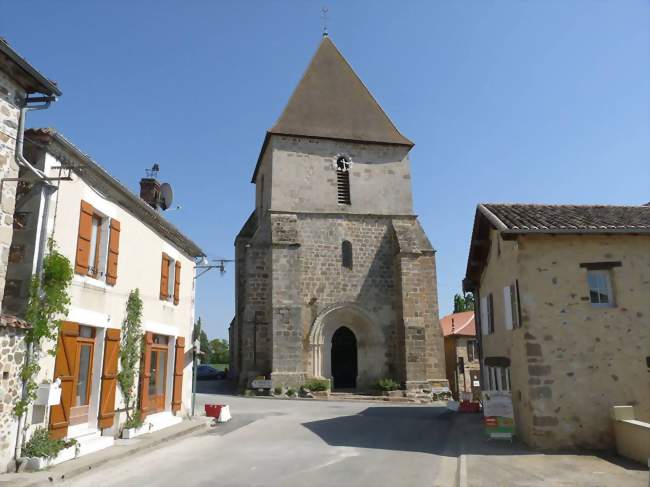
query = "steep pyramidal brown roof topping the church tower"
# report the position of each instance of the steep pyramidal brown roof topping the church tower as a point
(331, 102)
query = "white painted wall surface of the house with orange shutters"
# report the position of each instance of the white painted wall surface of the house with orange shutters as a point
(95, 303)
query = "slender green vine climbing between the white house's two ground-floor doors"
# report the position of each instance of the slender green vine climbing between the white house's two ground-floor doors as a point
(130, 350)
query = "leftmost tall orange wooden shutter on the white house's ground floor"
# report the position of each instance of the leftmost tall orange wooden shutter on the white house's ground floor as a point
(64, 368)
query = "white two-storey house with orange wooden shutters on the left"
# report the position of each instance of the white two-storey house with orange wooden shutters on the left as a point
(116, 242)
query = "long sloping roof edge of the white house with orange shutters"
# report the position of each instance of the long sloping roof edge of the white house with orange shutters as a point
(98, 177)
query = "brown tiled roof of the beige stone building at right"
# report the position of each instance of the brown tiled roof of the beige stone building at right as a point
(511, 220)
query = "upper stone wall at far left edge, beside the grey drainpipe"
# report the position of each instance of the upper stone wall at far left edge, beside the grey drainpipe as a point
(10, 94)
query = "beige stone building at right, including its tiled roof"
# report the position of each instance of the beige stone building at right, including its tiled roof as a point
(563, 295)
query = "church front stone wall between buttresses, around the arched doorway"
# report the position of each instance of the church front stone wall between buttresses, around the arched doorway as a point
(370, 283)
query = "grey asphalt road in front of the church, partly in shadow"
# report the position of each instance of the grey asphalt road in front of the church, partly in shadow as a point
(273, 442)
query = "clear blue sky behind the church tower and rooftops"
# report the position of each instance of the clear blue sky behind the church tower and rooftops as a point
(507, 101)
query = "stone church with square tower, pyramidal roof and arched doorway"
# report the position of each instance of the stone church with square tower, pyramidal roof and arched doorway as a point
(335, 277)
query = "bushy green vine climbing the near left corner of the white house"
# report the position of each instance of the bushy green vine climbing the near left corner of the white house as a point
(48, 301)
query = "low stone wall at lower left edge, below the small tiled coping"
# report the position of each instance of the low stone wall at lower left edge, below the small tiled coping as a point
(12, 354)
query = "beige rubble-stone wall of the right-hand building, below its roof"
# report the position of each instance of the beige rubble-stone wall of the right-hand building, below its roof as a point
(570, 361)
